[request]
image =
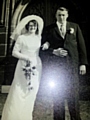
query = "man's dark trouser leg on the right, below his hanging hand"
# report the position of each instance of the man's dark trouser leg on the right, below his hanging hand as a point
(73, 93)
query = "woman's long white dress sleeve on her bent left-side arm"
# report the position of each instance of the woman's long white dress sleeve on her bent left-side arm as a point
(17, 50)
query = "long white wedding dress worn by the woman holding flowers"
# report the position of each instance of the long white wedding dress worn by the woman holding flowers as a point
(20, 100)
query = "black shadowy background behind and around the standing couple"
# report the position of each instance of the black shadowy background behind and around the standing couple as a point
(78, 12)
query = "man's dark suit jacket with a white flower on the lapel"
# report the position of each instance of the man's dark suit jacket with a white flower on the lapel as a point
(74, 42)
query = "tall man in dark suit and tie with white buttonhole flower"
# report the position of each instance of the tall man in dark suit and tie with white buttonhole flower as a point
(64, 44)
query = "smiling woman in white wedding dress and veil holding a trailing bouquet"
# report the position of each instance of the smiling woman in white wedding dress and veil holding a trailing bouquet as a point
(22, 95)
